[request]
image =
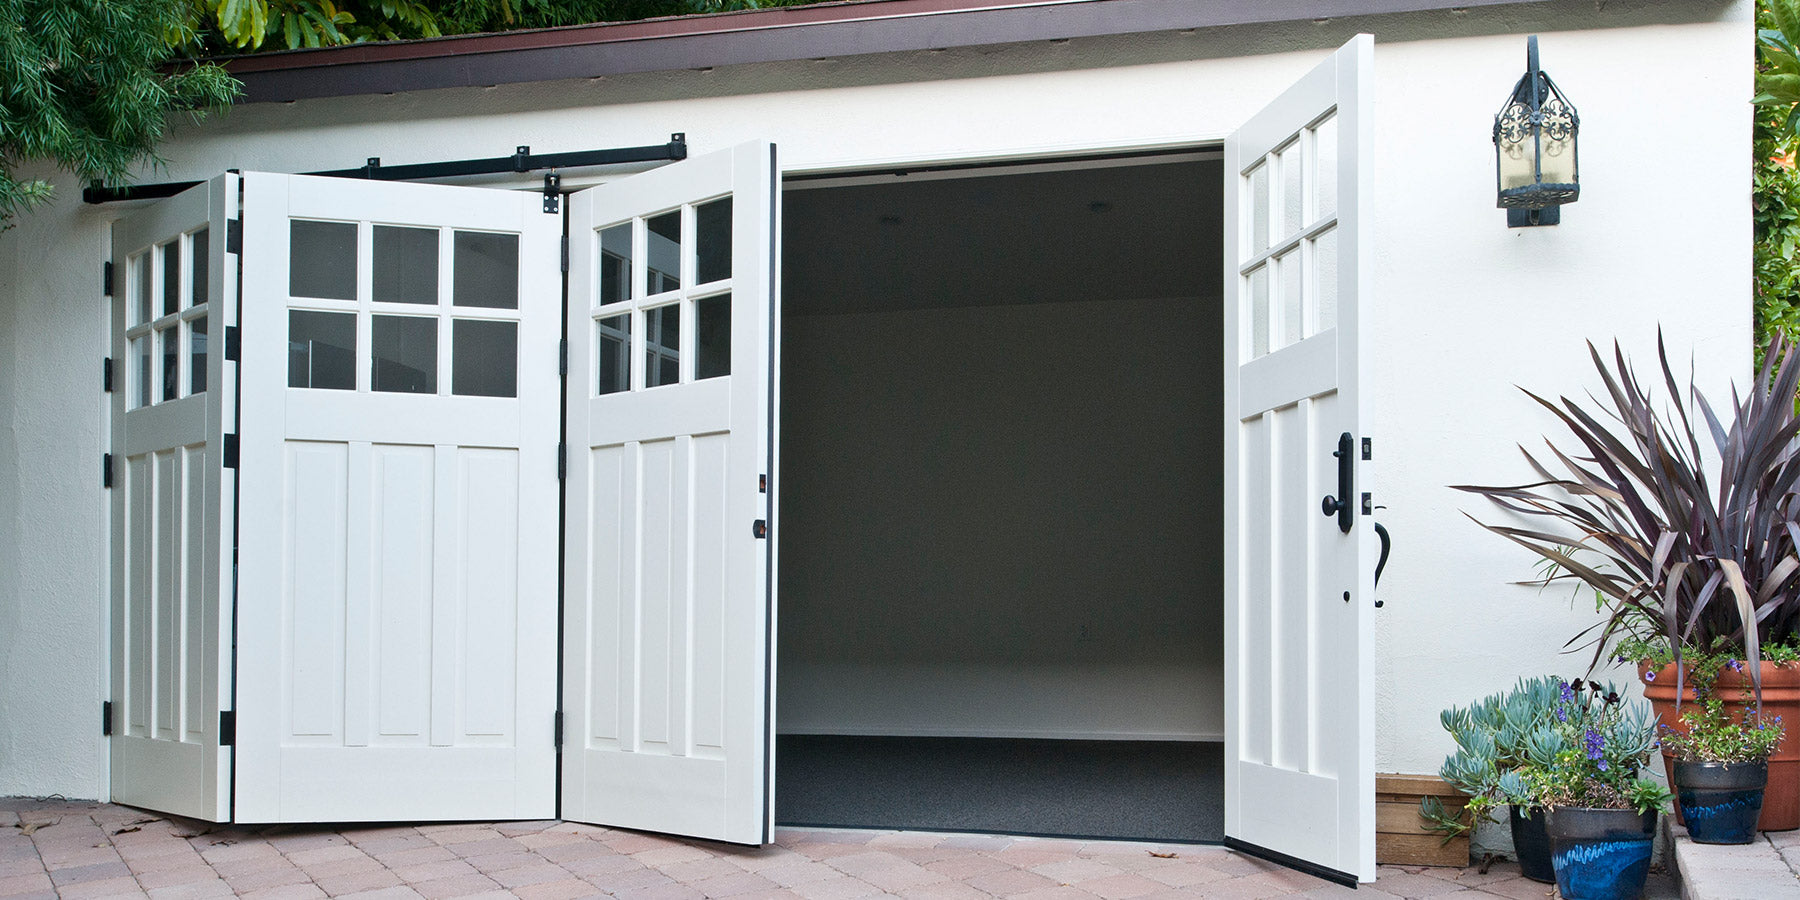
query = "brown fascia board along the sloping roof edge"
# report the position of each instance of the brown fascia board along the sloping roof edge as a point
(755, 37)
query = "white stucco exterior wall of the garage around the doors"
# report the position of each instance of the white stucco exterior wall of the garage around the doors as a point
(1464, 307)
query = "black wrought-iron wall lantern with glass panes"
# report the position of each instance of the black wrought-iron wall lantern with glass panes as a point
(1534, 148)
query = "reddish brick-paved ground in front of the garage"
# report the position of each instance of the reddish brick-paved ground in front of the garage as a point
(73, 850)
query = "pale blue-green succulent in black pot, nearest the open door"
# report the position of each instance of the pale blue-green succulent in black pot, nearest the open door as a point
(1495, 741)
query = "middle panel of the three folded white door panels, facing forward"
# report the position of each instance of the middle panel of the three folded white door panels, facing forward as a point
(397, 582)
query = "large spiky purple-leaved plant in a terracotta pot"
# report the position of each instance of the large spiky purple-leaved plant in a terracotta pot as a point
(1682, 555)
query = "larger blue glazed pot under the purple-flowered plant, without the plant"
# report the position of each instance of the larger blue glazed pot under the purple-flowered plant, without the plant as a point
(1601, 854)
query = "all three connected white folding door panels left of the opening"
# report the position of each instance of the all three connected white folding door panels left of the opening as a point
(397, 480)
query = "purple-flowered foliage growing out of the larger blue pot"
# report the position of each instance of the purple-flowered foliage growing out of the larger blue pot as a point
(1603, 746)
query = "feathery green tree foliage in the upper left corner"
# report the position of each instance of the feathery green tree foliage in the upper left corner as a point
(85, 85)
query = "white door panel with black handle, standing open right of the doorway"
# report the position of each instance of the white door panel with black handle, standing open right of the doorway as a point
(1300, 777)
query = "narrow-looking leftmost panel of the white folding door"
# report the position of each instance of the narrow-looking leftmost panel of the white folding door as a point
(172, 503)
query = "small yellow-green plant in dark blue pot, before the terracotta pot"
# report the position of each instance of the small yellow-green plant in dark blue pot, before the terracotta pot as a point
(1722, 764)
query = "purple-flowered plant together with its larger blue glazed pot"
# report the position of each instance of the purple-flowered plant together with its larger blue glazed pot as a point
(1601, 809)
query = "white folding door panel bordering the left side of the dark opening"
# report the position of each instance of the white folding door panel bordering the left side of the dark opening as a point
(670, 570)
